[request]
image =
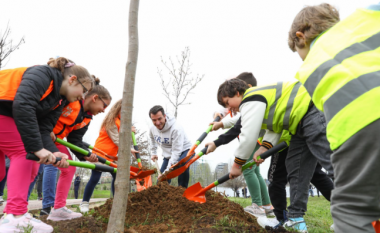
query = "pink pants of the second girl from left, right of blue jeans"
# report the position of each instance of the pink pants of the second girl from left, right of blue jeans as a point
(64, 182)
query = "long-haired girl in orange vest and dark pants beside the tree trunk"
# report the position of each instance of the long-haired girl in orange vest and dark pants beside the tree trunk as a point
(108, 142)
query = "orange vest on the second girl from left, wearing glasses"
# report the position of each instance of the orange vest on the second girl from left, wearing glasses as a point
(66, 122)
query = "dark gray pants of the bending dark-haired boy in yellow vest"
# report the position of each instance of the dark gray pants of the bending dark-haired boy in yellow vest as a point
(307, 147)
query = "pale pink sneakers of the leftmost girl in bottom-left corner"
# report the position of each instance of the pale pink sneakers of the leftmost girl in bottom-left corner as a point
(25, 223)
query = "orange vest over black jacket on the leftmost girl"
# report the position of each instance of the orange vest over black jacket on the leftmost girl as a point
(10, 81)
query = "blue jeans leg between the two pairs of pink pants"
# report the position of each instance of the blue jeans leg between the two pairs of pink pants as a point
(49, 184)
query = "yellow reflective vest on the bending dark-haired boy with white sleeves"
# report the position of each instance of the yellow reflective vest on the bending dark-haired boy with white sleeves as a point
(287, 103)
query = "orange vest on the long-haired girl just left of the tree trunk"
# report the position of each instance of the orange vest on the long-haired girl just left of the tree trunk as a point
(105, 143)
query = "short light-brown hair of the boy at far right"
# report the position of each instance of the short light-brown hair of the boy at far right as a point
(312, 21)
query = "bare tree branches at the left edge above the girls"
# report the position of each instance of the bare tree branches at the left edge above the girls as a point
(7, 46)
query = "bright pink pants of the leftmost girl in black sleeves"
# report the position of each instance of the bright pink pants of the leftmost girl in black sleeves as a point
(21, 170)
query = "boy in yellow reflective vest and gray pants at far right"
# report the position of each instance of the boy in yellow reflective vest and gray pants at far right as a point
(341, 72)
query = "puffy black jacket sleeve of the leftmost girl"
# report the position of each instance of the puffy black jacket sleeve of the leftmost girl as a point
(34, 84)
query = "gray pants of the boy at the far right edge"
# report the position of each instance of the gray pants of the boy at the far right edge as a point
(355, 201)
